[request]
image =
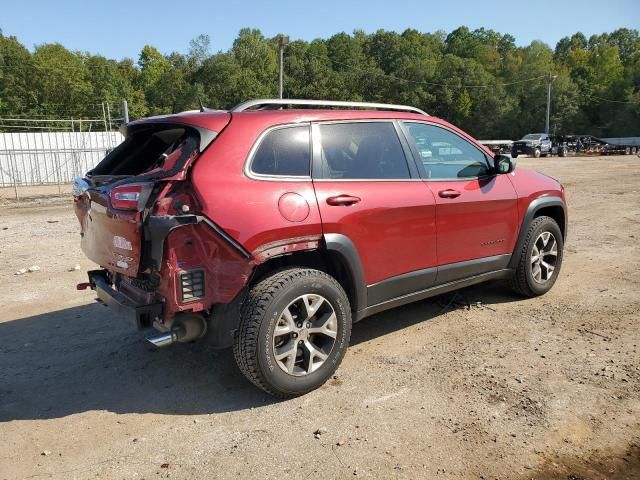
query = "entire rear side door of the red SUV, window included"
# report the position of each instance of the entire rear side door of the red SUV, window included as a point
(368, 191)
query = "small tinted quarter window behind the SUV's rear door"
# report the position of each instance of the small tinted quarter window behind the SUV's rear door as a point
(284, 152)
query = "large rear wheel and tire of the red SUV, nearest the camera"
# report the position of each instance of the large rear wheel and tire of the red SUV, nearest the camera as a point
(294, 330)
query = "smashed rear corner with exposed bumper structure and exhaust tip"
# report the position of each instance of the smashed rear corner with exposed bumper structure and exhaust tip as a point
(193, 268)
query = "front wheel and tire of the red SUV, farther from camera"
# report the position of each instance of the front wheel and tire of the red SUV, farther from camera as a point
(540, 258)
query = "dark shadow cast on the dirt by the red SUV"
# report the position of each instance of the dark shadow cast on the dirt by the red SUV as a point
(84, 358)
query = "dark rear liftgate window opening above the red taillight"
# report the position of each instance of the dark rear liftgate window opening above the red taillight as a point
(149, 149)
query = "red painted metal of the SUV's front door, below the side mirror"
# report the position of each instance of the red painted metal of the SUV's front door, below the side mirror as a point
(480, 222)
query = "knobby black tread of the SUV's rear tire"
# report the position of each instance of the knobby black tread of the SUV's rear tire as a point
(252, 312)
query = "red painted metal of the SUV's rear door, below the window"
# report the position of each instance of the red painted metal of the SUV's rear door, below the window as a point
(392, 226)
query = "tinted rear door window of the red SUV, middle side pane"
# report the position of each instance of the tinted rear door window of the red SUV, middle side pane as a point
(362, 151)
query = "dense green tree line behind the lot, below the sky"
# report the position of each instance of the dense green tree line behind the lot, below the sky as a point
(478, 79)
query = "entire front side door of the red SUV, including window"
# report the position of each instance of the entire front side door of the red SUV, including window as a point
(476, 209)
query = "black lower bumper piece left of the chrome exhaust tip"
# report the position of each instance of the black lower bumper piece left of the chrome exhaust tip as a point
(140, 316)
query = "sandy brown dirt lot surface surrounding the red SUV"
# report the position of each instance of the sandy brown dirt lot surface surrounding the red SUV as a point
(508, 388)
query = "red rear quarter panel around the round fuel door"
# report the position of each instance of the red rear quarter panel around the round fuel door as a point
(247, 209)
